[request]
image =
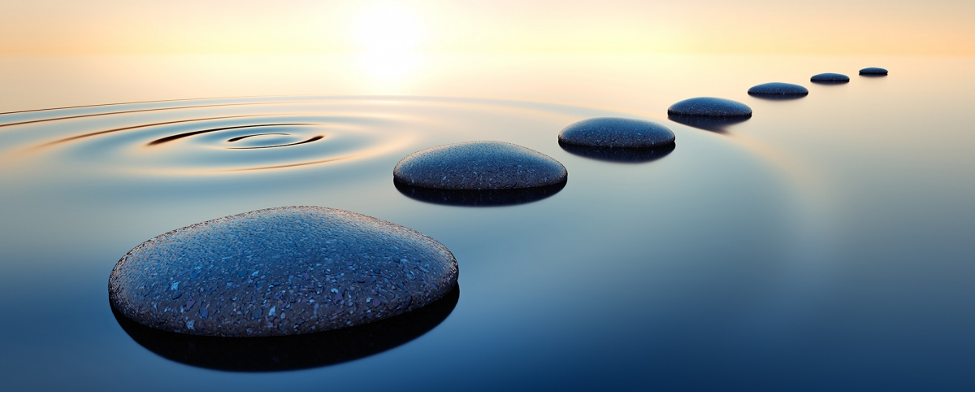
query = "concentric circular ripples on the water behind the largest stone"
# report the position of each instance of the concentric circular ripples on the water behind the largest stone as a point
(214, 135)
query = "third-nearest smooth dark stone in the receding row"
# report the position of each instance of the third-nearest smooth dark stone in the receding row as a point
(616, 132)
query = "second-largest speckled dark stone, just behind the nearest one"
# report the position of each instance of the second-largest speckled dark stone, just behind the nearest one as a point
(479, 166)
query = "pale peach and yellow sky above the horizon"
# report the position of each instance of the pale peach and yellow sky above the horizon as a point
(55, 27)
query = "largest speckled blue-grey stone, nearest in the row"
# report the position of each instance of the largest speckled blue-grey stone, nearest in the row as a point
(278, 272)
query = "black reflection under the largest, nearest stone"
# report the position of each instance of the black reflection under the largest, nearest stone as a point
(291, 352)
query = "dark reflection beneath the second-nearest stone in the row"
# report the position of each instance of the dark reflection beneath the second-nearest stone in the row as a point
(479, 198)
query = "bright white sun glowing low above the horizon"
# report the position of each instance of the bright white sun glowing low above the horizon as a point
(387, 28)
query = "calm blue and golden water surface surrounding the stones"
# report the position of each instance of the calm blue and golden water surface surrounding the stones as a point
(825, 243)
